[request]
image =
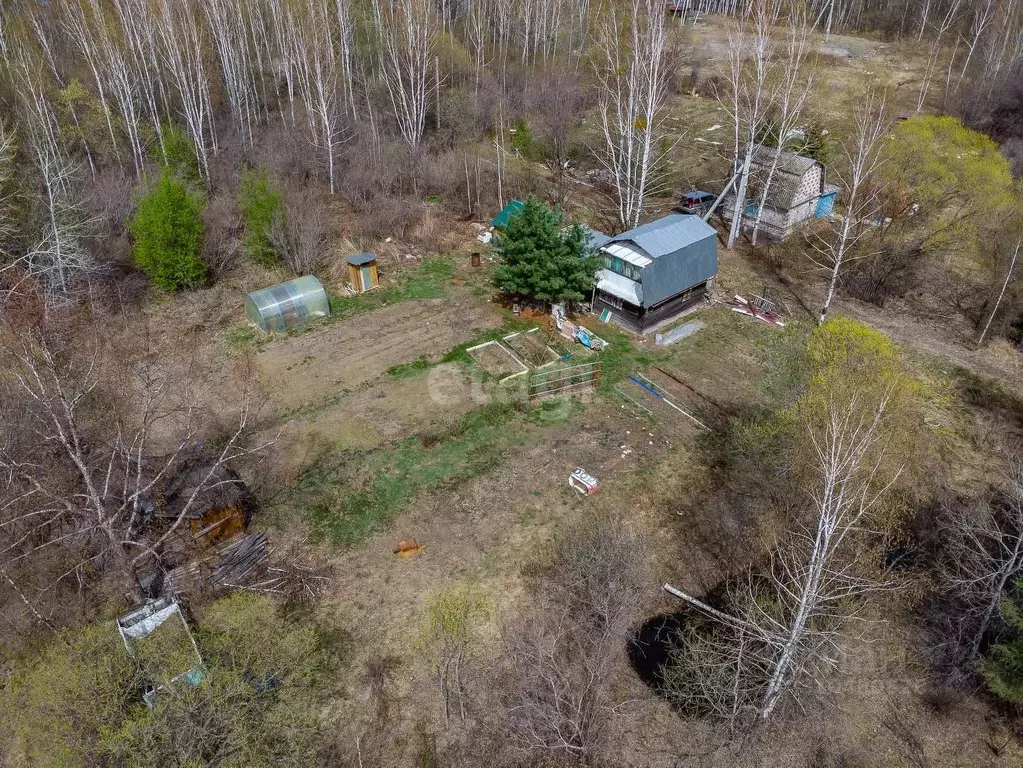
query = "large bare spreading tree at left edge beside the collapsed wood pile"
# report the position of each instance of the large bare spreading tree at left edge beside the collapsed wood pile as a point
(82, 485)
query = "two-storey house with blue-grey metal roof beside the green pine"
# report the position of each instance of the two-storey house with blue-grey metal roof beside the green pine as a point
(657, 272)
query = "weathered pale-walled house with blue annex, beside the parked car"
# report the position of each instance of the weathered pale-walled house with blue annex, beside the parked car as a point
(799, 193)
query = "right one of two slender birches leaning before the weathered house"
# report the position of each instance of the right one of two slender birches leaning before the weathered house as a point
(790, 95)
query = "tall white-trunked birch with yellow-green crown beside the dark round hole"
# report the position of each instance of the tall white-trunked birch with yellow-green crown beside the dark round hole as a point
(783, 629)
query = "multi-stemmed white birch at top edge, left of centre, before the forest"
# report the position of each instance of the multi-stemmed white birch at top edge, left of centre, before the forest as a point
(407, 35)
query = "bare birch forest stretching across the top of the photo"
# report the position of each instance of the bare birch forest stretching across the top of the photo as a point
(385, 104)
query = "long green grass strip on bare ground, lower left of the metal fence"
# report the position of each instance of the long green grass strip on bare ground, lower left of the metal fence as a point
(348, 498)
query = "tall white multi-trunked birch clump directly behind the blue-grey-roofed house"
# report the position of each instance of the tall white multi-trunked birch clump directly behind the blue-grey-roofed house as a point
(633, 74)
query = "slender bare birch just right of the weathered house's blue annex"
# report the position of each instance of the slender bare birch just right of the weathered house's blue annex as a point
(865, 158)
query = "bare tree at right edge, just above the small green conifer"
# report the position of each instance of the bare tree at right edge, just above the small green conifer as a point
(983, 557)
